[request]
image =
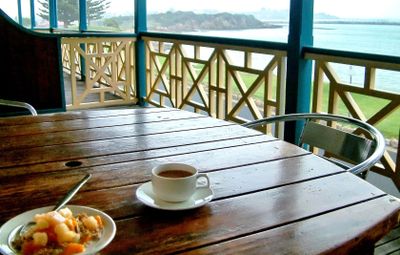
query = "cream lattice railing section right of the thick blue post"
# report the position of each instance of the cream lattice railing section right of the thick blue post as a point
(342, 93)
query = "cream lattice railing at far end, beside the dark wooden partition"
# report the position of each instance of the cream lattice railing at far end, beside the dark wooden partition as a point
(101, 71)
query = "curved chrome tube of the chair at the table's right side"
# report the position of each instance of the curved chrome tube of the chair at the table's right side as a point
(376, 135)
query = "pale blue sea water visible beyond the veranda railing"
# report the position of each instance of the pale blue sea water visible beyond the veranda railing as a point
(365, 38)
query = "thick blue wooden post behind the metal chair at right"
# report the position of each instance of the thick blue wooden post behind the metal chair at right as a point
(298, 89)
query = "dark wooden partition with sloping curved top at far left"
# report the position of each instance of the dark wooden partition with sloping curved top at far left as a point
(31, 70)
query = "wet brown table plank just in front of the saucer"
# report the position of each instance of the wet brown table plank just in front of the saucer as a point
(162, 232)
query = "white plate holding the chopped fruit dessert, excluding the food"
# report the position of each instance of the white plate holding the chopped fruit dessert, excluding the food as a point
(106, 237)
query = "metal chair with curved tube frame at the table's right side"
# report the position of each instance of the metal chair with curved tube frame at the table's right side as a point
(339, 146)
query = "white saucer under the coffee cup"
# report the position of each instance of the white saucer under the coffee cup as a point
(201, 197)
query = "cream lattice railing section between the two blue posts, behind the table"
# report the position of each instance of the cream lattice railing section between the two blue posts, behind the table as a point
(216, 79)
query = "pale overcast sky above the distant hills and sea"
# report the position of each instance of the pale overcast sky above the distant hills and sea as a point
(374, 9)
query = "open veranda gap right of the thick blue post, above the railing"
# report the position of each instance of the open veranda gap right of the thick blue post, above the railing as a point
(338, 26)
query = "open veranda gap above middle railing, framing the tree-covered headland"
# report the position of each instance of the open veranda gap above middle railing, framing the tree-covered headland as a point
(253, 19)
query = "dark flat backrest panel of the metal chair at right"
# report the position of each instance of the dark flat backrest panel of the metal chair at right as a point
(341, 144)
